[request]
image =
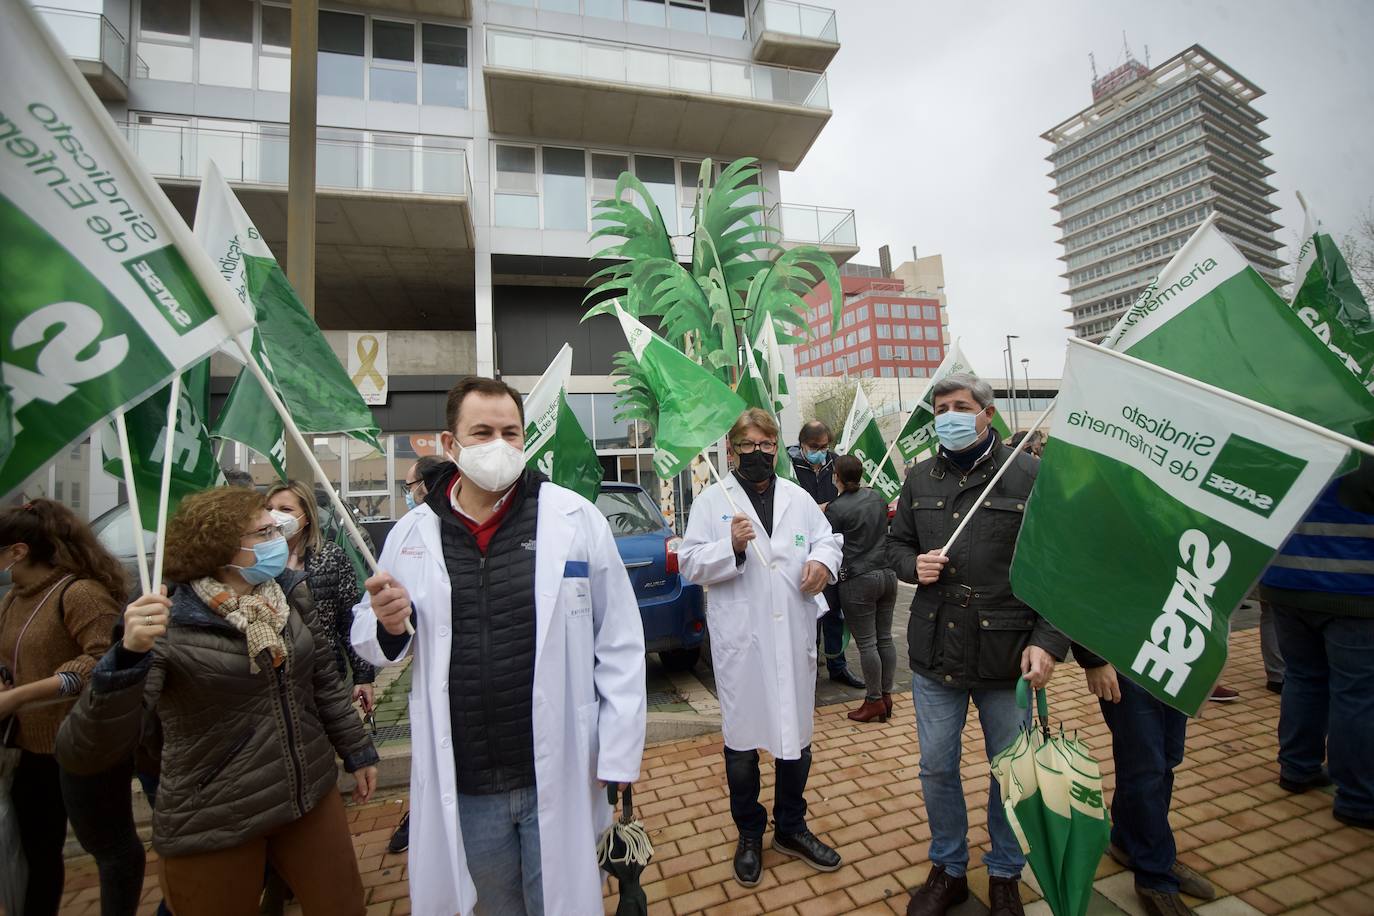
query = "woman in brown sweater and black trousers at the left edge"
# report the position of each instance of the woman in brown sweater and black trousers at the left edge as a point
(56, 624)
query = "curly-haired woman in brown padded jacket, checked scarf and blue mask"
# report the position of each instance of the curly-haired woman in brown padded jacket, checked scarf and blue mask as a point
(252, 711)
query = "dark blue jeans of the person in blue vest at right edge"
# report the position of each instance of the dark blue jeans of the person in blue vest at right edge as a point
(1328, 707)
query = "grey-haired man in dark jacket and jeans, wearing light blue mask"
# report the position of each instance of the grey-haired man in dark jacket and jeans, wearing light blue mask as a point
(969, 638)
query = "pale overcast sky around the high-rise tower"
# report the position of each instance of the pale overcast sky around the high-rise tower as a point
(939, 111)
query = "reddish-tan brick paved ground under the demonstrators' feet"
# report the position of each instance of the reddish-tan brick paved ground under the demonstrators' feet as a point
(1266, 851)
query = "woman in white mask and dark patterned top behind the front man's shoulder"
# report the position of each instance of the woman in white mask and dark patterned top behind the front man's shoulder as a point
(330, 577)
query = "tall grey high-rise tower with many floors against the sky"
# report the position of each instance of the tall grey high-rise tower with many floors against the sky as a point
(1136, 172)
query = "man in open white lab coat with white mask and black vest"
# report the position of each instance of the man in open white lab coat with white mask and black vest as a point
(528, 690)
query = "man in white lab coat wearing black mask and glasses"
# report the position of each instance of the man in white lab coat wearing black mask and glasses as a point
(766, 551)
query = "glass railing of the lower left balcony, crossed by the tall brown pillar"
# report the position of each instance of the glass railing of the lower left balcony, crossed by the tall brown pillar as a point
(259, 156)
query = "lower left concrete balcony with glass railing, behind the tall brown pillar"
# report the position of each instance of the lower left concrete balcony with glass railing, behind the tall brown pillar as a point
(394, 225)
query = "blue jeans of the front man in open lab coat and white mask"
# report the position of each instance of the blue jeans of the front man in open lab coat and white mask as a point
(501, 840)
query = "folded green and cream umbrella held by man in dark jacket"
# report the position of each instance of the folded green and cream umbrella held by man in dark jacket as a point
(1052, 792)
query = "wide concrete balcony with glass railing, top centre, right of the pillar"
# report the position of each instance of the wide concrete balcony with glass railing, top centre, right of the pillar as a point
(563, 89)
